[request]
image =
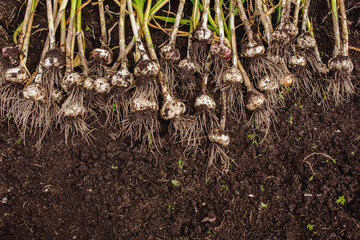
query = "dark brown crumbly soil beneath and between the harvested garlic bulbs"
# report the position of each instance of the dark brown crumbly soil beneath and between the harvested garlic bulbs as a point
(283, 187)
